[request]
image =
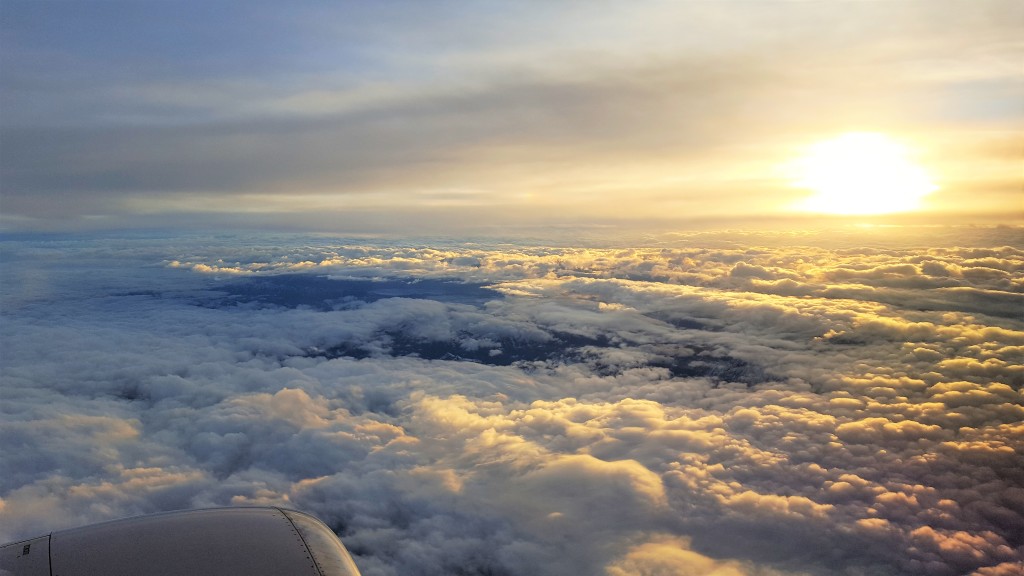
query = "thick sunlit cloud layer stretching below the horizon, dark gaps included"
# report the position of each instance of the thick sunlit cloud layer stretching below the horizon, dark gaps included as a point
(731, 405)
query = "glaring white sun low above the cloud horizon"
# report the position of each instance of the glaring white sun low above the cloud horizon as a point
(861, 174)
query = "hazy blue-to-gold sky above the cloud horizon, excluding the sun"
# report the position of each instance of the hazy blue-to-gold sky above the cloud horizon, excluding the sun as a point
(346, 116)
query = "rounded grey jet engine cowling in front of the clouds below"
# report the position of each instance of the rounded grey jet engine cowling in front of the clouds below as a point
(242, 542)
